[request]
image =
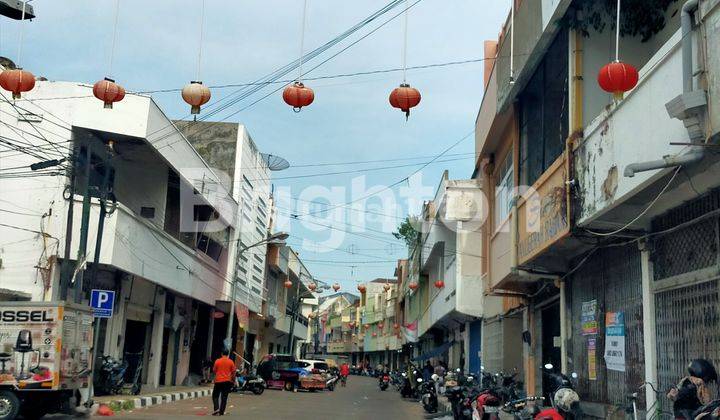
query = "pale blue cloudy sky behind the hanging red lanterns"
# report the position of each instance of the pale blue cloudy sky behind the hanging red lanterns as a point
(350, 120)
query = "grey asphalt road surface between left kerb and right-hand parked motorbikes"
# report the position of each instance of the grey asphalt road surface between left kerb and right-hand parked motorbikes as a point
(361, 399)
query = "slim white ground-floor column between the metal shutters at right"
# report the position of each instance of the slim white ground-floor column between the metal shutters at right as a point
(649, 331)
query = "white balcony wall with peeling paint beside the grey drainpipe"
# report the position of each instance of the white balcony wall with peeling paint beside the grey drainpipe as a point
(636, 129)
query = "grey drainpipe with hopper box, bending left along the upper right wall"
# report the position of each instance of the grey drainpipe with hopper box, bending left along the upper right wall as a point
(686, 107)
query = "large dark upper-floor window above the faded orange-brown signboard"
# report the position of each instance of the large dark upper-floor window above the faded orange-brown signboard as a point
(544, 113)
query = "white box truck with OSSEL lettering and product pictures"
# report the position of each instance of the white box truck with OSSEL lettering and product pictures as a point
(45, 358)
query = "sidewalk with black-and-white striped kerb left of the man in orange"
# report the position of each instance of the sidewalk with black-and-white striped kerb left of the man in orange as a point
(161, 396)
